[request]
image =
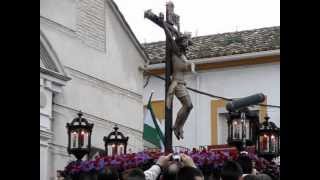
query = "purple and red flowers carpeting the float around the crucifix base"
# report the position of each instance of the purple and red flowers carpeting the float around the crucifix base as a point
(206, 160)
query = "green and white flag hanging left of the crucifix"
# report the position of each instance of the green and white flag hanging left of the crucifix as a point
(151, 130)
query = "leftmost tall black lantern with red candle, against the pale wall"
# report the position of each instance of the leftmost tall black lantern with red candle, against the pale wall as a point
(79, 136)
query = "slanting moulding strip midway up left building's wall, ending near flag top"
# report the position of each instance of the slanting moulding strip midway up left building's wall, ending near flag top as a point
(104, 85)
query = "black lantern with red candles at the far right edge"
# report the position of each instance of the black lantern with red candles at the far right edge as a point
(268, 140)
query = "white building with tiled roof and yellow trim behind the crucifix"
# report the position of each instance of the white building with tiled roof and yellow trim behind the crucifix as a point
(231, 65)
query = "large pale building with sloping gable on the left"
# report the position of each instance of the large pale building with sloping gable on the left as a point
(89, 61)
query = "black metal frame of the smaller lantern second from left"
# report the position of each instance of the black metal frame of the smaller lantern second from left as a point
(115, 138)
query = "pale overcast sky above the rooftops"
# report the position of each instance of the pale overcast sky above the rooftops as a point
(201, 17)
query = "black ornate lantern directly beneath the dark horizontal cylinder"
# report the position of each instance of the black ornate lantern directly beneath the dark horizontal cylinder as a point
(242, 128)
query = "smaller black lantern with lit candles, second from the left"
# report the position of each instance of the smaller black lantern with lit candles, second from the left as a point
(115, 142)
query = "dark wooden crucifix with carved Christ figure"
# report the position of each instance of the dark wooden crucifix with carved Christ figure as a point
(176, 65)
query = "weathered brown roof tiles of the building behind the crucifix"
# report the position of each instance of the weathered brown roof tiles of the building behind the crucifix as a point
(225, 44)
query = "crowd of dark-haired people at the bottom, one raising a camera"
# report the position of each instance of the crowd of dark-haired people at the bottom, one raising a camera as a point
(183, 168)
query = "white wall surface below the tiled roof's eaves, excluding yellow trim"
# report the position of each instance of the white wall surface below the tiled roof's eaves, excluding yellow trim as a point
(227, 82)
